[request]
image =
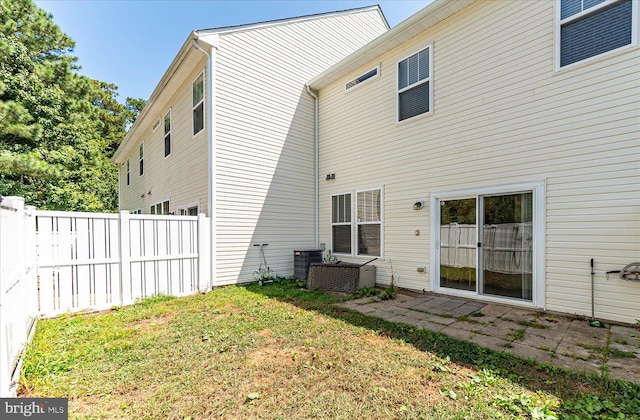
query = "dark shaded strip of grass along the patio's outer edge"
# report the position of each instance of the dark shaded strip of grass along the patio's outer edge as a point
(583, 394)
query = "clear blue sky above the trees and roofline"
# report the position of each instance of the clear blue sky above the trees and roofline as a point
(132, 42)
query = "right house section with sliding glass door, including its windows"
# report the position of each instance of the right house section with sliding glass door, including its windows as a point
(493, 154)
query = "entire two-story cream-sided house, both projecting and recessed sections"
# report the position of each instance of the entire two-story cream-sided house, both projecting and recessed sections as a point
(486, 149)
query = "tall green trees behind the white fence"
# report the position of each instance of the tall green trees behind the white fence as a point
(58, 129)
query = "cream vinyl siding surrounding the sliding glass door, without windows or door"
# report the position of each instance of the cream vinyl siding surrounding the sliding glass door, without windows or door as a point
(501, 116)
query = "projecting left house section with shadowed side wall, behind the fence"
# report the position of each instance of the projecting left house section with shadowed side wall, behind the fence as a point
(229, 131)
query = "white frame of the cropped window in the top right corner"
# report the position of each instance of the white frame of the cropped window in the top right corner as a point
(635, 33)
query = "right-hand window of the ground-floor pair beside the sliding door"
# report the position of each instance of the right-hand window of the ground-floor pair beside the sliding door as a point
(369, 222)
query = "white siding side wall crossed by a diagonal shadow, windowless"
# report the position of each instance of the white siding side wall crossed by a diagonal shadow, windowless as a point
(265, 137)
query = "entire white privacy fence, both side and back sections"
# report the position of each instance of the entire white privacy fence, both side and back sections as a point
(57, 262)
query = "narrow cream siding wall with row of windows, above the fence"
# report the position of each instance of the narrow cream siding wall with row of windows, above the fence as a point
(180, 177)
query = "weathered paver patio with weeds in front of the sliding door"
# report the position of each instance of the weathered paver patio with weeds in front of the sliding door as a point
(559, 340)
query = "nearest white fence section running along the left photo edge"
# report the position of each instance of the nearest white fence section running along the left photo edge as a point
(18, 285)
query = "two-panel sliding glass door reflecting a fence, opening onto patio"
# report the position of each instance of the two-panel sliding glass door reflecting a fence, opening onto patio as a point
(486, 244)
